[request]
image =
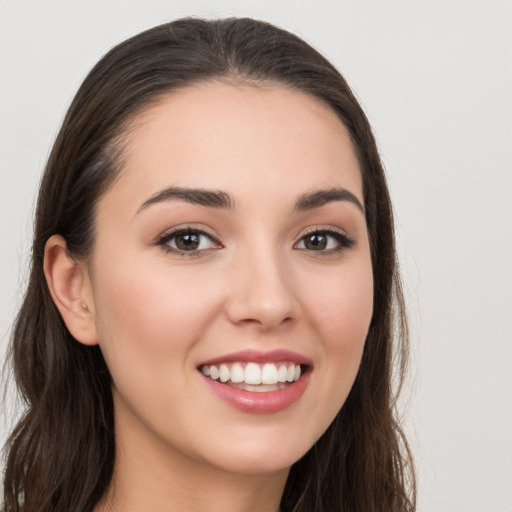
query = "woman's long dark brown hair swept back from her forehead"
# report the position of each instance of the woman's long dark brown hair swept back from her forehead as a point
(61, 454)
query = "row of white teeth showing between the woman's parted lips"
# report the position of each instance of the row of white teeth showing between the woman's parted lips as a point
(255, 377)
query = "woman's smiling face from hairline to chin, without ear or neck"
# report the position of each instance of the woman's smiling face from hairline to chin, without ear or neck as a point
(232, 244)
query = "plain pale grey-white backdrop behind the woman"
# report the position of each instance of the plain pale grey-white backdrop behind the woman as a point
(435, 79)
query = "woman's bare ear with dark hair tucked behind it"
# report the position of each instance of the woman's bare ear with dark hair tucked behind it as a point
(70, 288)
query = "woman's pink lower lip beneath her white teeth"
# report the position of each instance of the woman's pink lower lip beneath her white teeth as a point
(260, 403)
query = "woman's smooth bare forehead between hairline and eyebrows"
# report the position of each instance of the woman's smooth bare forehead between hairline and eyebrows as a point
(248, 140)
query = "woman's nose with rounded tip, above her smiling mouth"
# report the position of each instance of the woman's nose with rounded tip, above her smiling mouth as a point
(261, 292)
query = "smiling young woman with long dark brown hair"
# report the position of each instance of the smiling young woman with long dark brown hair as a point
(214, 297)
